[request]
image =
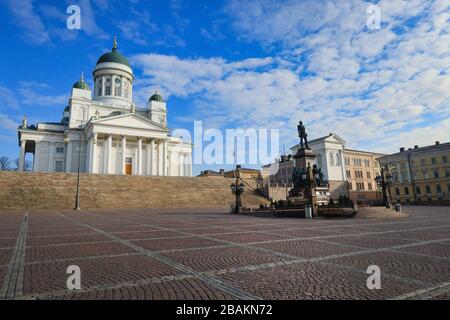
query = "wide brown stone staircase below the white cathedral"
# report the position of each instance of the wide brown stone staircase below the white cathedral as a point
(38, 191)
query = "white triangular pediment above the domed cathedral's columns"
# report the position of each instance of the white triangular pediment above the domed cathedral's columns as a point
(131, 120)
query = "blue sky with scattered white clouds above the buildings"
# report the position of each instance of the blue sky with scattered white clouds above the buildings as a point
(243, 64)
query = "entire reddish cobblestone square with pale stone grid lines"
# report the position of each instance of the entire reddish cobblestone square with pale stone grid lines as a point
(209, 254)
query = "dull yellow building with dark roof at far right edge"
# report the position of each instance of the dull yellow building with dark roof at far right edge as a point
(420, 174)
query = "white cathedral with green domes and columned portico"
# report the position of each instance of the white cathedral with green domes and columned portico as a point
(104, 132)
